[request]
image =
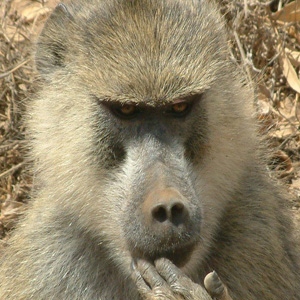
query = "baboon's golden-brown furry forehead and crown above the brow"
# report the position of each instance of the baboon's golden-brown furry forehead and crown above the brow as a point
(150, 51)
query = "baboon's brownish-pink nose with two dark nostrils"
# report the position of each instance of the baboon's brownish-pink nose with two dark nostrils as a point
(165, 207)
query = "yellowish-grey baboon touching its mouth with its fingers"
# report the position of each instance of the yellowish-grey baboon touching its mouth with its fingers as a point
(149, 169)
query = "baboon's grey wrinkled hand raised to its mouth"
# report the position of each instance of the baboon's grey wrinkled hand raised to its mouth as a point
(166, 281)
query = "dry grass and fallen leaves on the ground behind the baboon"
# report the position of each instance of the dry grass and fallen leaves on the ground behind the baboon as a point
(265, 41)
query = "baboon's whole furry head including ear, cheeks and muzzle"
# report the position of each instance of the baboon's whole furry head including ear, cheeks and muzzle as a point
(140, 127)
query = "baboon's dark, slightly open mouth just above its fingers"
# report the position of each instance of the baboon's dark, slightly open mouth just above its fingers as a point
(179, 256)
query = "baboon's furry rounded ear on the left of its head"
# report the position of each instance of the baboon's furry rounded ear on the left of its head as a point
(51, 45)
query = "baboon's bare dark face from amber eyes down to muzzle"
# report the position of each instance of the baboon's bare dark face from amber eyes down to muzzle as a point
(154, 148)
